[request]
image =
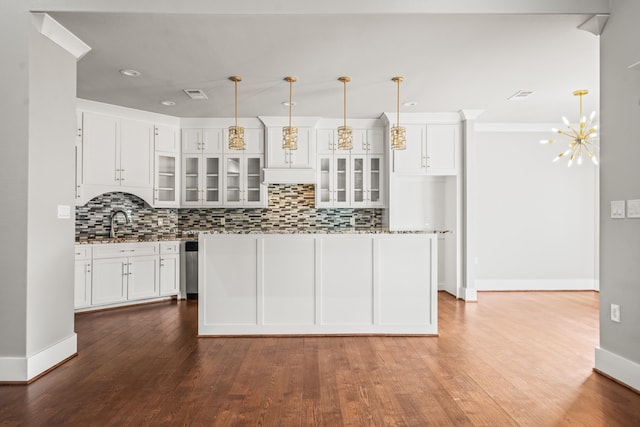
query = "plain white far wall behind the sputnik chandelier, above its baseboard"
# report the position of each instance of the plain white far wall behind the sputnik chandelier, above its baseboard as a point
(536, 220)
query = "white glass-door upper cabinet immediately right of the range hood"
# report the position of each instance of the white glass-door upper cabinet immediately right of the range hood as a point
(333, 181)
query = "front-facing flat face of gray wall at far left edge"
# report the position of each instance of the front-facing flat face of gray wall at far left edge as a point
(14, 133)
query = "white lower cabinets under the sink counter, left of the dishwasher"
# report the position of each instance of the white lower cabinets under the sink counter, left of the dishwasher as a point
(108, 274)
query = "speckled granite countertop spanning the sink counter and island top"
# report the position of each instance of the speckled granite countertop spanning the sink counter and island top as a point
(193, 235)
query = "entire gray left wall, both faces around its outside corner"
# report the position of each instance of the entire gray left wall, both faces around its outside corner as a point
(37, 174)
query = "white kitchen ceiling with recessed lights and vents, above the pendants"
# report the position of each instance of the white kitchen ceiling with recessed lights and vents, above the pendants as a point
(450, 62)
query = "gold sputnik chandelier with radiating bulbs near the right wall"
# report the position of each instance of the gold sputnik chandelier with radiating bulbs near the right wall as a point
(581, 138)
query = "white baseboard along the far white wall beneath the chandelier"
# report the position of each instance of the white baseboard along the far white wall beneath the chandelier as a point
(536, 285)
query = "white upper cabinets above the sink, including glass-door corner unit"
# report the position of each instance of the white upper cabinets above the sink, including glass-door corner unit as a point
(117, 150)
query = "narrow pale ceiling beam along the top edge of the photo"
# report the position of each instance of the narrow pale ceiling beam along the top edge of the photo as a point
(329, 7)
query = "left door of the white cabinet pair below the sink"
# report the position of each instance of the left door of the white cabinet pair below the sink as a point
(109, 281)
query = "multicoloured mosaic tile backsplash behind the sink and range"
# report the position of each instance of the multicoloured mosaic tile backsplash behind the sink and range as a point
(291, 207)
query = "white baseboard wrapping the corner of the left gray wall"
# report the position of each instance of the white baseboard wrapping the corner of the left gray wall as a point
(24, 369)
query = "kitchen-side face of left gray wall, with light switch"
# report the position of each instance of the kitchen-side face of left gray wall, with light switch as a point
(52, 122)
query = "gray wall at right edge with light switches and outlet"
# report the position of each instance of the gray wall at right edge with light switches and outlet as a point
(620, 179)
